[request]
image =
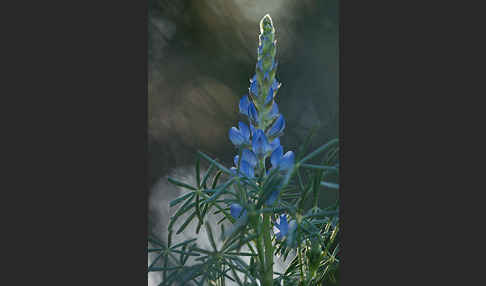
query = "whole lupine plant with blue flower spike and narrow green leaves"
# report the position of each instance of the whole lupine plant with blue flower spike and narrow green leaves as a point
(268, 198)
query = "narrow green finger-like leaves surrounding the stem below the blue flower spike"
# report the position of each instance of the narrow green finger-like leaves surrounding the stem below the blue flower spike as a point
(314, 244)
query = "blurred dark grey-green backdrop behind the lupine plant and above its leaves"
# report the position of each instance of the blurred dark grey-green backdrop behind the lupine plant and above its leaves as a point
(201, 54)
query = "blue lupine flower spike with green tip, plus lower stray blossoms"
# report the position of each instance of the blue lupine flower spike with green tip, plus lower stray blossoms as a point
(260, 140)
